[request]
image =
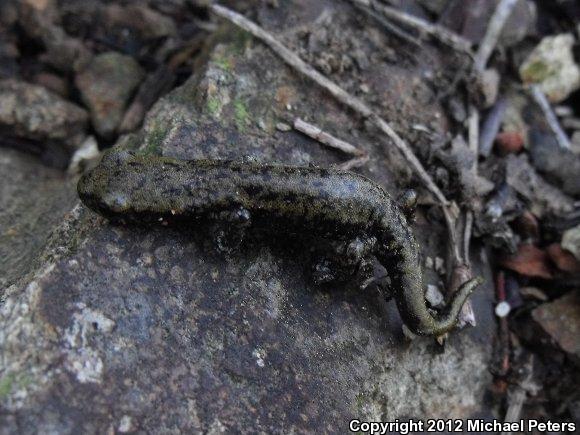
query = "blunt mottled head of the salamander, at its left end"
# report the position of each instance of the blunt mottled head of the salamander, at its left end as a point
(104, 189)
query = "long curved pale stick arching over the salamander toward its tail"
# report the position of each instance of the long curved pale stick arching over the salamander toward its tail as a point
(353, 103)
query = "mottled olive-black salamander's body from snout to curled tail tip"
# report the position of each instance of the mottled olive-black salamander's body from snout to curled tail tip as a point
(321, 202)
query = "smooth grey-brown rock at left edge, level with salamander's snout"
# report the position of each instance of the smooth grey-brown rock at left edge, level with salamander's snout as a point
(33, 200)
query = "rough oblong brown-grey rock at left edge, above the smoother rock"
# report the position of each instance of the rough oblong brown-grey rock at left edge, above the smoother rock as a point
(32, 112)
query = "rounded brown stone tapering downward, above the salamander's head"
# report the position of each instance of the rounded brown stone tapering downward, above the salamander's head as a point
(106, 86)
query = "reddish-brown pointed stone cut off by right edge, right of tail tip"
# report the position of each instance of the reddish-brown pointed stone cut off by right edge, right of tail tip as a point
(561, 320)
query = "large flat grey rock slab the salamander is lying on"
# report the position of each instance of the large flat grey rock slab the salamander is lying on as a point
(136, 329)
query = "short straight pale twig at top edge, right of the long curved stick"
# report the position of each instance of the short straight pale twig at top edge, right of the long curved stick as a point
(425, 28)
